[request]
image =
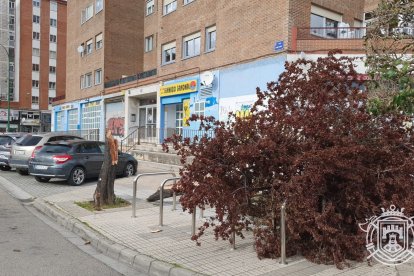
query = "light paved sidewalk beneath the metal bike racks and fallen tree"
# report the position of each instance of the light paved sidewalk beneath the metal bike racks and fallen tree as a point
(171, 244)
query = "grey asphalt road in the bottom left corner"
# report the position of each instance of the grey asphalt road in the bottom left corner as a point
(32, 245)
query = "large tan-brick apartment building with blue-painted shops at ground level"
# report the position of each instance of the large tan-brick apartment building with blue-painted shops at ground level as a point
(167, 59)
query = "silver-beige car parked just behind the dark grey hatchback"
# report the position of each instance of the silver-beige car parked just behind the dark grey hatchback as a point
(27, 147)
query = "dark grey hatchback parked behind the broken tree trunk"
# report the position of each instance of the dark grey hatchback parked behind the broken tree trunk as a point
(75, 161)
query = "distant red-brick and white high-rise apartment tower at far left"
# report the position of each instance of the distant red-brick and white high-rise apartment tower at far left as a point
(32, 61)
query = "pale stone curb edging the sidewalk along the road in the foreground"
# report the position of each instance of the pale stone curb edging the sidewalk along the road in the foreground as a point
(142, 263)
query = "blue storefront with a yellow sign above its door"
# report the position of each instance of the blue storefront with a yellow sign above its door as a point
(181, 98)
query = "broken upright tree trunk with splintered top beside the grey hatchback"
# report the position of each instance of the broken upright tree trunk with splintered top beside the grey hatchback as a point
(104, 193)
